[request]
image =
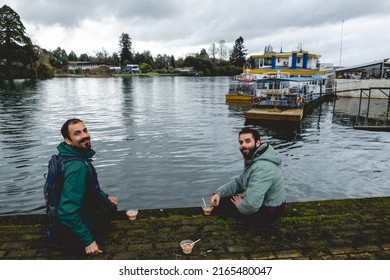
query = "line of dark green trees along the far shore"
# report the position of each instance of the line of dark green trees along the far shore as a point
(20, 58)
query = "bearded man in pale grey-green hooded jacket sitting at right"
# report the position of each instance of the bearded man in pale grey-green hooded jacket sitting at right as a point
(258, 195)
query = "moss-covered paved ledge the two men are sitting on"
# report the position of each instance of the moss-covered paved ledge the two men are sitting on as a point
(332, 229)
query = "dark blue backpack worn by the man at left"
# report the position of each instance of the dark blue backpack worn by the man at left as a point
(53, 188)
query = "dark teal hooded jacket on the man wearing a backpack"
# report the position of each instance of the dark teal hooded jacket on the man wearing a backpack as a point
(80, 196)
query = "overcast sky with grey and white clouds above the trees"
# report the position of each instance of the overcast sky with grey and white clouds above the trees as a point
(356, 29)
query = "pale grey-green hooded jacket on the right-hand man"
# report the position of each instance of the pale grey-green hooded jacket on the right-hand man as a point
(261, 182)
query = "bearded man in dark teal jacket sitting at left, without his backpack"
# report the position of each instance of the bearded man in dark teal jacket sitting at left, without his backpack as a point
(84, 208)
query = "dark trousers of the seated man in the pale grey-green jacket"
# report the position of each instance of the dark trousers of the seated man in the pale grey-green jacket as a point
(265, 216)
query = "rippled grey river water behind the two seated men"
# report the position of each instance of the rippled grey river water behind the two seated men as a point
(164, 142)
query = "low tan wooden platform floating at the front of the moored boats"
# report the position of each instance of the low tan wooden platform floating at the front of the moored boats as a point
(272, 114)
